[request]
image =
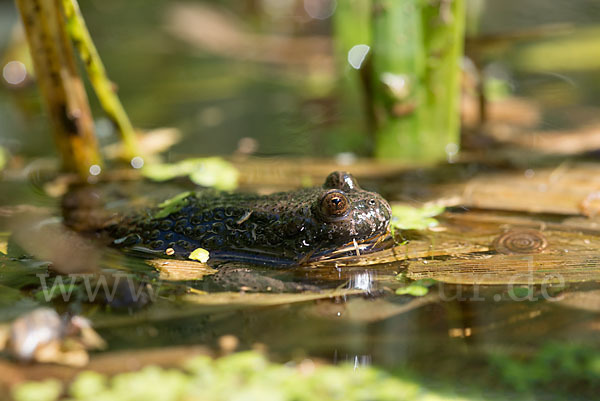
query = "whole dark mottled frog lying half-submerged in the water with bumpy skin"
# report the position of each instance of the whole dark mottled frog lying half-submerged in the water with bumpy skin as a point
(282, 228)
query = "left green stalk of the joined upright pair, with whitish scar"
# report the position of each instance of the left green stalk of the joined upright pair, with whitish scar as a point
(399, 61)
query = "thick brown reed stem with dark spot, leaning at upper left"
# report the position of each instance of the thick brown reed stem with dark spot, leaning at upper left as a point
(60, 85)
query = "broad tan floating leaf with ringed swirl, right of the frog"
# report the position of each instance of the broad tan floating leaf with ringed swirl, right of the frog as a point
(564, 256)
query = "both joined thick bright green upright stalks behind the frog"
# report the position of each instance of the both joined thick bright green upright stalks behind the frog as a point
(417, 47)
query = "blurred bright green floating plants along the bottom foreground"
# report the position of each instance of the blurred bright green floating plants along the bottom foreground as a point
(241, 376)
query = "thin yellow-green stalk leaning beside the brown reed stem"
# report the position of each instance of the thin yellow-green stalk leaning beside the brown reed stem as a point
(97, 73)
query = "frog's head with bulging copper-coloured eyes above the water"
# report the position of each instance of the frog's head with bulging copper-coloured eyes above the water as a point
(348, 216)
